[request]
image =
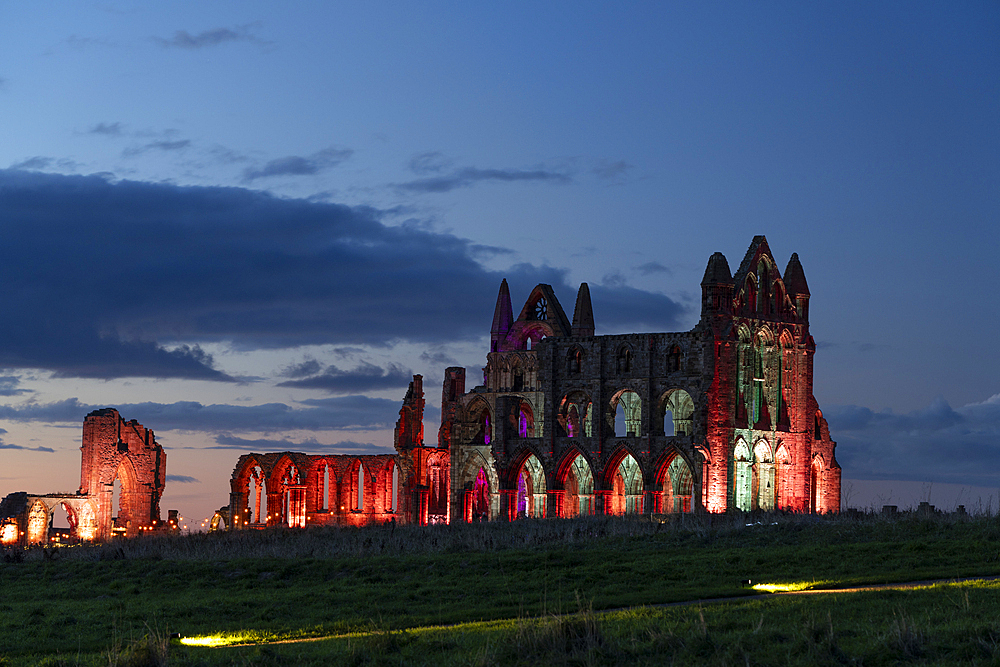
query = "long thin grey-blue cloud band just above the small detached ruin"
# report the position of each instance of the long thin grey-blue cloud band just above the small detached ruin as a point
(349, 413)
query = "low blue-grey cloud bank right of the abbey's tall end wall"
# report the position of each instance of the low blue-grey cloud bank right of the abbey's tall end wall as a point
(956, 445)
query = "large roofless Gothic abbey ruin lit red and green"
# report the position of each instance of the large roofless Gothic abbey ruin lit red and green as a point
(566, 423)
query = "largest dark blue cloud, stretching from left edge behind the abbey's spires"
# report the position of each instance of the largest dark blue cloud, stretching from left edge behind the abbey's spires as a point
(106, 279)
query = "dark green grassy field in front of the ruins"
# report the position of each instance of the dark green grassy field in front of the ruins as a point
(116, 603)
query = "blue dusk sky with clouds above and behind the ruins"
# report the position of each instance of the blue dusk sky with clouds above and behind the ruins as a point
(247, 225)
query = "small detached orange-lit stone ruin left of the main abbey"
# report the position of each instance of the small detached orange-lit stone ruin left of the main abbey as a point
(112, 450)
